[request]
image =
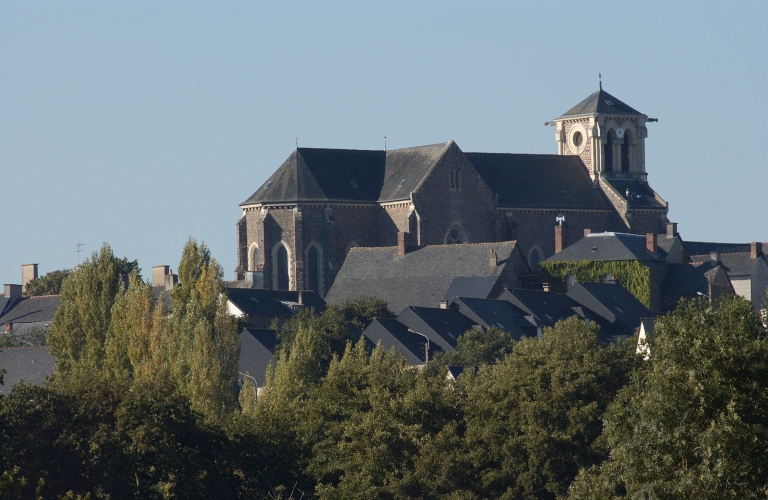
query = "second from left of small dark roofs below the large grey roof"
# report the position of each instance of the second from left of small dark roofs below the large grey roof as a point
(441, 326)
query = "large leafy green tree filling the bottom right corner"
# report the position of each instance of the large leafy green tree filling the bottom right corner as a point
(693, 422)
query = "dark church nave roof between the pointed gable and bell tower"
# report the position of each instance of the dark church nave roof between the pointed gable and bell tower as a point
(534, 180)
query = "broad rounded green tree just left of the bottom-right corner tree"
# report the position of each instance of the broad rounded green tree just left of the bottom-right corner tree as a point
(535, 418)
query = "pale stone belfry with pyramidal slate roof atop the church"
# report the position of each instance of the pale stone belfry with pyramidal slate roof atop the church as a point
(607, 134)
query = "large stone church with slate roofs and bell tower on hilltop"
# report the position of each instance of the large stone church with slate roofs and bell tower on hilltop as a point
(298, 226)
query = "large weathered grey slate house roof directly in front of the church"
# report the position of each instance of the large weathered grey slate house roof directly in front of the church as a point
(421, 277)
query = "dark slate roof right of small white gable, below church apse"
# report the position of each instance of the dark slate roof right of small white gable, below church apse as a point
(260, 302)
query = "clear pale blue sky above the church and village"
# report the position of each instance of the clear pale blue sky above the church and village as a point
(144, 123)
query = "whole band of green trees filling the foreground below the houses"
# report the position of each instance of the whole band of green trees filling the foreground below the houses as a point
(143, 405)
